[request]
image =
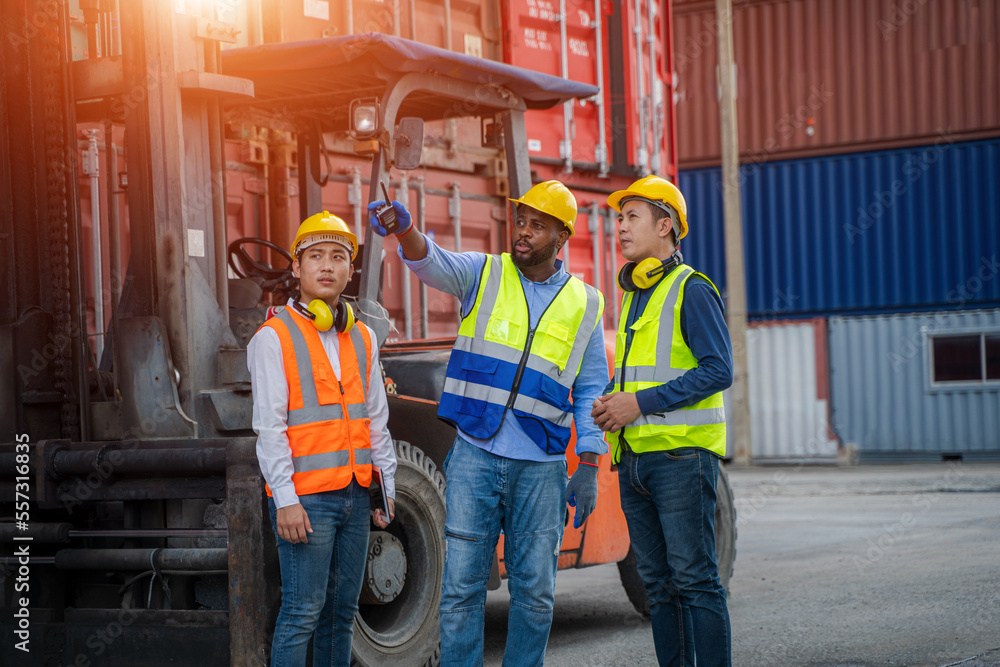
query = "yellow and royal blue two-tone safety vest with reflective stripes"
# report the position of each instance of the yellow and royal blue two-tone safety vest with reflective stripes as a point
(500, 363)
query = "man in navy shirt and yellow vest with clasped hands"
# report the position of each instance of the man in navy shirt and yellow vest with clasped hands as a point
(665, 419)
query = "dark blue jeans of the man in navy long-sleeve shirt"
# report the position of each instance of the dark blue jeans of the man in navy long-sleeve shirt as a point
(669, 504)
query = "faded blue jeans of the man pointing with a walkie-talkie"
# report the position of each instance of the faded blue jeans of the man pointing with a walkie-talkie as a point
(526, 499)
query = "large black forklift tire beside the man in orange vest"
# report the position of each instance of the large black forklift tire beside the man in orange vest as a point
(405, 632)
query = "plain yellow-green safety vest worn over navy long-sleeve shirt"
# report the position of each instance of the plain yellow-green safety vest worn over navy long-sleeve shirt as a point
(657, 355)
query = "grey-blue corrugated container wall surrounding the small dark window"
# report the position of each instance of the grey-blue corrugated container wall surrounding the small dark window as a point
(882, 400)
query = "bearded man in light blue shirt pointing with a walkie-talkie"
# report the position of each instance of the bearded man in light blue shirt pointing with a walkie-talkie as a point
(530, 338)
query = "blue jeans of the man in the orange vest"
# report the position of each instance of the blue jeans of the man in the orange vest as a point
(321, 579)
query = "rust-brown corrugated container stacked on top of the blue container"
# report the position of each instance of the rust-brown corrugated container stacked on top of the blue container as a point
(822, 76)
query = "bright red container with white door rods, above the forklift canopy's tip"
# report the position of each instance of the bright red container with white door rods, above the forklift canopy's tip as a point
(534, 40)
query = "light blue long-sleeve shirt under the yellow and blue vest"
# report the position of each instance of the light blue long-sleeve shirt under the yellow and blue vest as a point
(458, 274)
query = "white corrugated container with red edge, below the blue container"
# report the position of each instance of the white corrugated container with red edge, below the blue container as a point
(789, 409)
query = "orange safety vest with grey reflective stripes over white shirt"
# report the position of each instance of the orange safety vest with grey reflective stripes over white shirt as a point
(328, 422)
